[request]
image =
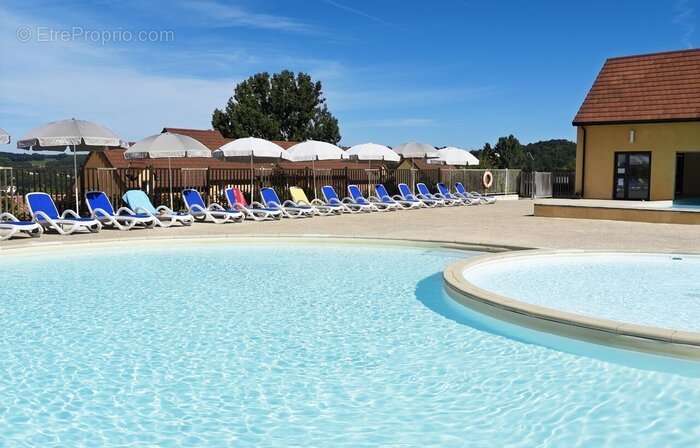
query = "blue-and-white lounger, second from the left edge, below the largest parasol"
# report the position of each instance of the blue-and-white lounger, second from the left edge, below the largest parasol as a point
(44, 212)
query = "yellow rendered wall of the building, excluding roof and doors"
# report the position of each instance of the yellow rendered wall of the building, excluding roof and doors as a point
(664, 140)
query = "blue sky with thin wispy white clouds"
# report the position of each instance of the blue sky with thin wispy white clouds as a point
(445, 72)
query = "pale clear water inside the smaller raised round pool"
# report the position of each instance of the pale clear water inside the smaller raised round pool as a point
(655, 290)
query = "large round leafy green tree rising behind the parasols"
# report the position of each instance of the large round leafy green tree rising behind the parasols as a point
(278, 107)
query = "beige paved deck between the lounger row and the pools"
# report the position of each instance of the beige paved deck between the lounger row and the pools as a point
(507, 223)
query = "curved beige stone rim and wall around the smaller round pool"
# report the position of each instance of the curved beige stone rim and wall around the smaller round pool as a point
(645, 338)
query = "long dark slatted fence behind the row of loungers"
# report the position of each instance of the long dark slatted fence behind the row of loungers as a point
(212, 182)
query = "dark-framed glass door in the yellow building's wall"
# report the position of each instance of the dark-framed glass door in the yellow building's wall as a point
(632, 176)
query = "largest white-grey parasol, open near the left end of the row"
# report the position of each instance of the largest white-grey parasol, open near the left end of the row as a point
(81, 135)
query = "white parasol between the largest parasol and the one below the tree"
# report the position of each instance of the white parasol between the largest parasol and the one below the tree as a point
(167, 145)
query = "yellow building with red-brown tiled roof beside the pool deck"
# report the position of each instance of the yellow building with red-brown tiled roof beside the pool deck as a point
(638, 130)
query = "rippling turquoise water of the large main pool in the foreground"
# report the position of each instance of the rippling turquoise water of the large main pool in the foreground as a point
(220, 344)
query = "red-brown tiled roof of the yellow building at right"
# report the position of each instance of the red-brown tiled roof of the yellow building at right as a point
(645, 88)
